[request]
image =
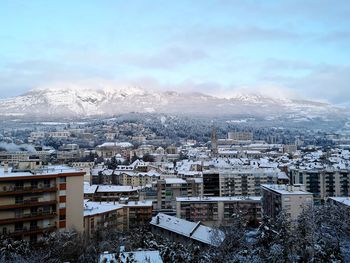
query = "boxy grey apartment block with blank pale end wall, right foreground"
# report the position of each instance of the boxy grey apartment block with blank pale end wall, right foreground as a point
(291, 199)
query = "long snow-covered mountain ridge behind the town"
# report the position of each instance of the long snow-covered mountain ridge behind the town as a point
(77, 101)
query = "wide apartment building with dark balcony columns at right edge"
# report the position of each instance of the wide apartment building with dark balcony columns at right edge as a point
(323, 183)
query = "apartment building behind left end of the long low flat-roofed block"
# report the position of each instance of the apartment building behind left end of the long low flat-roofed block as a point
(170, 188)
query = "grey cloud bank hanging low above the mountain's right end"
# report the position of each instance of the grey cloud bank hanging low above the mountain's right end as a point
(321, 82)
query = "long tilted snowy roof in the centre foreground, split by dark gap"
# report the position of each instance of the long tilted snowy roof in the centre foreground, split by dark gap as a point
(192, 230)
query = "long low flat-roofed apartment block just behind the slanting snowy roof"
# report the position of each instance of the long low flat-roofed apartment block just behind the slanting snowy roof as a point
(219, 211)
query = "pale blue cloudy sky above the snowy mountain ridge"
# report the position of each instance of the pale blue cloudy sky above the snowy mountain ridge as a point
(293, 48)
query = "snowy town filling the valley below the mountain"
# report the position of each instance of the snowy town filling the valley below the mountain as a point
(200, 184)
